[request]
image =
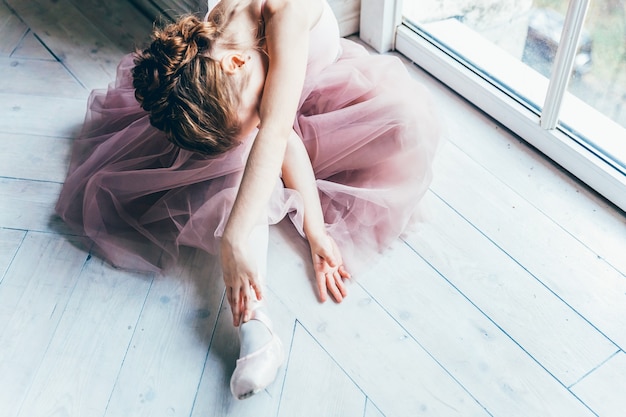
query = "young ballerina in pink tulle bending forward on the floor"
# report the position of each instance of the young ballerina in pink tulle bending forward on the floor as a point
(223, 126)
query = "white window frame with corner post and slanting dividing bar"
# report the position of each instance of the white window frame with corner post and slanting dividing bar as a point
(381, 27)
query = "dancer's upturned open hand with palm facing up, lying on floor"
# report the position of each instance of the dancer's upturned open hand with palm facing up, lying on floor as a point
(329, 269)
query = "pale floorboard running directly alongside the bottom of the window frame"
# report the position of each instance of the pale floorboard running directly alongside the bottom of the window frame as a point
(581, 212)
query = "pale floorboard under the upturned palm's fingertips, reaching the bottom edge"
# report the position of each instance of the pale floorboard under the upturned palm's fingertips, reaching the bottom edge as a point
(366, 341)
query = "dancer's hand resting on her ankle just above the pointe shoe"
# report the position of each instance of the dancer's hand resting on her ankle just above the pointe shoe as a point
(241, 280)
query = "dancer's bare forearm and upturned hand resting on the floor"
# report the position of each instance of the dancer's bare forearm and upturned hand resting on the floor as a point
(327, 263)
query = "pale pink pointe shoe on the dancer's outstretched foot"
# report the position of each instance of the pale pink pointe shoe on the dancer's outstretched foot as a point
(256, 371)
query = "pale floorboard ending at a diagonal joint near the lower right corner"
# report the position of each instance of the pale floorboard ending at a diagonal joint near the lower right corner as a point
(559, 339)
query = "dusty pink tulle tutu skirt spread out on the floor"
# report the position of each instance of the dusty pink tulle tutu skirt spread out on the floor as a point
(369, 130)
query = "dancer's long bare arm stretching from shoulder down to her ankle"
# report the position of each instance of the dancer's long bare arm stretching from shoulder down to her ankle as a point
(287, 24)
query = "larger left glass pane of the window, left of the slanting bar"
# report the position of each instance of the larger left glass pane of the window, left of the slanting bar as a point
(511, 42)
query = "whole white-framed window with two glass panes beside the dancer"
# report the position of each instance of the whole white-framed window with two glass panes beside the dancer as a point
(552, 71)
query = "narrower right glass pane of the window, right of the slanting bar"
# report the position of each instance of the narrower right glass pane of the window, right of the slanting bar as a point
(598, 81)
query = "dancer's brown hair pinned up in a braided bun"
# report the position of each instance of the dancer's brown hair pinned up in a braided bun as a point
(185, 91)
